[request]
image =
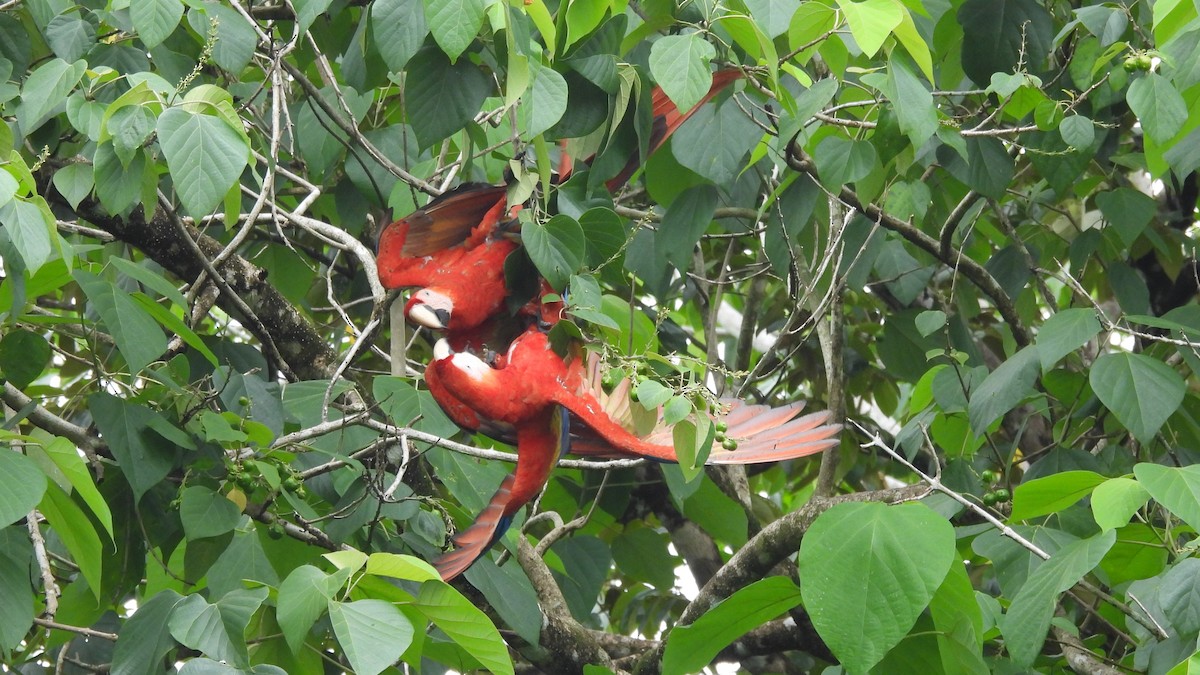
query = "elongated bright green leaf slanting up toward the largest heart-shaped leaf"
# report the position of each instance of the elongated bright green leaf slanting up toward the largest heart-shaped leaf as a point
(692, 648)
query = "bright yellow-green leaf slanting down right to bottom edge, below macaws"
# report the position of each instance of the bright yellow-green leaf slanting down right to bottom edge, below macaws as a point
(465, 624)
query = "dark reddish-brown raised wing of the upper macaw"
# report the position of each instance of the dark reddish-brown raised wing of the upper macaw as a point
(451, 219)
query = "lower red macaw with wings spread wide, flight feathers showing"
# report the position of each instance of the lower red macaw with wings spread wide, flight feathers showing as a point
(529, 390)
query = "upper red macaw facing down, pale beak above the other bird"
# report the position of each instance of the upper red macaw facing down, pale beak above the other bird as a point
(454, 250)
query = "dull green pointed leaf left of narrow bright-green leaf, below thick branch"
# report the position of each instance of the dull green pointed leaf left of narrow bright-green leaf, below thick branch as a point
(139, 337)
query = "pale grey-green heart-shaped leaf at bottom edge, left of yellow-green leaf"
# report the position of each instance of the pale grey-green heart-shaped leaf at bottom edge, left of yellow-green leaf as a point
(373, 634)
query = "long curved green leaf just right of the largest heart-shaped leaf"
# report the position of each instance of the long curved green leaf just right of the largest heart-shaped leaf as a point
(1028, 620)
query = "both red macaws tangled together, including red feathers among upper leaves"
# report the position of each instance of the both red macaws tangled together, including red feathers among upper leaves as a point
(453, 252)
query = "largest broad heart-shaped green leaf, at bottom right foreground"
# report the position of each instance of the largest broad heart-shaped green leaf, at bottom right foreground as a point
(869, 571)
